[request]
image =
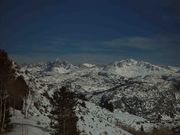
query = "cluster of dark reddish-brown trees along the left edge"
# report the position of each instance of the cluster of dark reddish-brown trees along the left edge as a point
(8, 89)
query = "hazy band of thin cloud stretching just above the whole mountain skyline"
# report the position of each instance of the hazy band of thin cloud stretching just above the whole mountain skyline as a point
(156, 49)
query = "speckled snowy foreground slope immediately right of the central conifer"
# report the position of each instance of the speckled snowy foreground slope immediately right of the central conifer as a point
(94, 120)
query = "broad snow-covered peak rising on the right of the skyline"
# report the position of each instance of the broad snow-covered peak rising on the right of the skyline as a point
(133, 68)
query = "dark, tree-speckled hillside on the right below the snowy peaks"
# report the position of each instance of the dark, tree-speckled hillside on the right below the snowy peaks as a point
(143, 99)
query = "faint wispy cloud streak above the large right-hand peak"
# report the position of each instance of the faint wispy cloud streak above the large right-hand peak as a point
(145, 43)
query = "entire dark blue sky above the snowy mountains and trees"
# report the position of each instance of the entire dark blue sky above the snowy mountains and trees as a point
(96, 31)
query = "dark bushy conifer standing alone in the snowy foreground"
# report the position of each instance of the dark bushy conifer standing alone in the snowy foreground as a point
(64, 120)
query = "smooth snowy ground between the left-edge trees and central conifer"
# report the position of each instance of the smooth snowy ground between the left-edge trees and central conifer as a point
(32, 126)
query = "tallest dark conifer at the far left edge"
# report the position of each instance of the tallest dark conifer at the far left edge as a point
(6, 74)
